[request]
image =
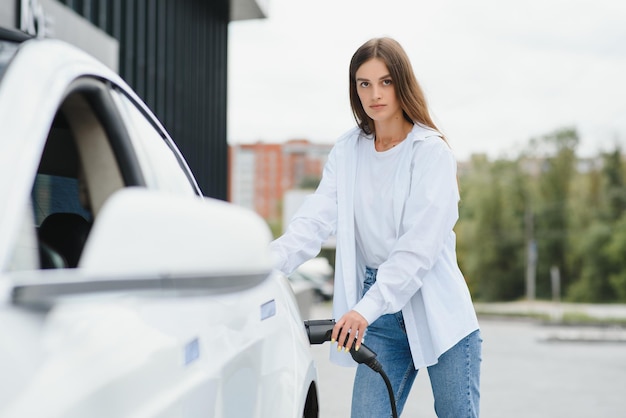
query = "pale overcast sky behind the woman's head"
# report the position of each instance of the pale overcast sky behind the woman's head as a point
(495, 72)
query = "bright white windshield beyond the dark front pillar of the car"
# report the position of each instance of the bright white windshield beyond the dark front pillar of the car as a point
(163, 168)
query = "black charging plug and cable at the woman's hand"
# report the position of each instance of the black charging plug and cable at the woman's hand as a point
(320, 331)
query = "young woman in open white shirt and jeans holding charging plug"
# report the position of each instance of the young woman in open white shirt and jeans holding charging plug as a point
(389, 192)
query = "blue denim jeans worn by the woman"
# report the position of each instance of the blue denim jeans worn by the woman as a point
(455, 379)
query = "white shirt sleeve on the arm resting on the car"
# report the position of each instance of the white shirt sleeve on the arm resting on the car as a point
(311, 225)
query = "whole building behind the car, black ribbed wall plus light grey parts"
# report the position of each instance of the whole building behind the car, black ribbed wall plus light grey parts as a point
(172, 52)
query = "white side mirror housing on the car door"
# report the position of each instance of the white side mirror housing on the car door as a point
(139, 231)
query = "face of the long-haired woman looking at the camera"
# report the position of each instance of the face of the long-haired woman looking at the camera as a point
(377, 92)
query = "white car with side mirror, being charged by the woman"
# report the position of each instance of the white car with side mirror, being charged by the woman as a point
(124, 292)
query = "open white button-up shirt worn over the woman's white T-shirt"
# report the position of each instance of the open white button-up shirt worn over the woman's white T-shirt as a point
(421, 276)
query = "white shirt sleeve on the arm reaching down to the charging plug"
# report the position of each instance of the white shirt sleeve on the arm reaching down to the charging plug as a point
(430, 213)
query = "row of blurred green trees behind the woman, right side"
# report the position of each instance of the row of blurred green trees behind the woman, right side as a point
(574, 209)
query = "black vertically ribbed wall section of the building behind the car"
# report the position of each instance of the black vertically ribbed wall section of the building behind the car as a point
(174, 54)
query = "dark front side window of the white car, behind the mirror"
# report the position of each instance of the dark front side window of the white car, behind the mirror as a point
(87, 157)
